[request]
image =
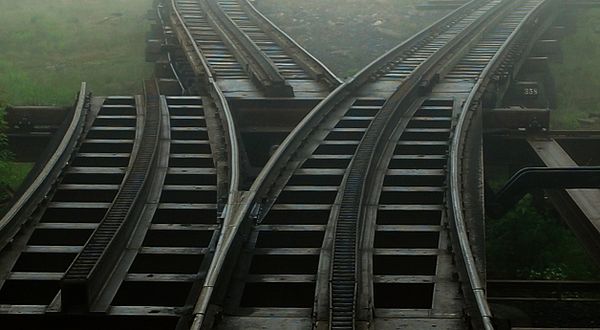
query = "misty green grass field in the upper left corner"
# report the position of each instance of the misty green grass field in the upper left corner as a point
(49, 47)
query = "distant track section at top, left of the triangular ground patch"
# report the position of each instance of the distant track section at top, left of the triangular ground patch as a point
(245, 52)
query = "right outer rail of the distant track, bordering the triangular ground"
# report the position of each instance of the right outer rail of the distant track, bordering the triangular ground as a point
(317, 69)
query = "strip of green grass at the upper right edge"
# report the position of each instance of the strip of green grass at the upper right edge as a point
(578, 77)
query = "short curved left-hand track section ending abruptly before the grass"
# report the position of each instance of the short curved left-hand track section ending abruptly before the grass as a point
(135, 209)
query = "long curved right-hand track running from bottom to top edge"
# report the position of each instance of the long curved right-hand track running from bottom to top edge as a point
(339, 238)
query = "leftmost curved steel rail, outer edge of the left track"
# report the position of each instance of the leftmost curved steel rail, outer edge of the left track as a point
(25, 205)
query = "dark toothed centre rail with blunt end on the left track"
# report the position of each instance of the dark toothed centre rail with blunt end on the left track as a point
(85, 278)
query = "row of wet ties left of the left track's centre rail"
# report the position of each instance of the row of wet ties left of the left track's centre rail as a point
(73, 212)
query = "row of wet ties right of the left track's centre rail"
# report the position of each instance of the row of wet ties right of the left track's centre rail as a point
(179, 222)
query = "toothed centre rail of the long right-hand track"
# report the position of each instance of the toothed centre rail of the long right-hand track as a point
(353, 190)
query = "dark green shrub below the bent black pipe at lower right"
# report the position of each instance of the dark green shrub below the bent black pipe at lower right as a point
(528, 243)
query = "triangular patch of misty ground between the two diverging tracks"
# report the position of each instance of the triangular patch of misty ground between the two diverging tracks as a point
(346, 35)
